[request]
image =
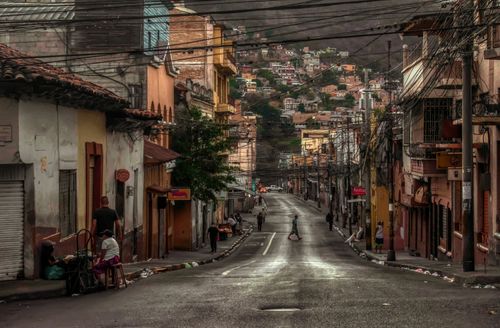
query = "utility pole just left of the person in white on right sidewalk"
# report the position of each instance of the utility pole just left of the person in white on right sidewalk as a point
(366, 217)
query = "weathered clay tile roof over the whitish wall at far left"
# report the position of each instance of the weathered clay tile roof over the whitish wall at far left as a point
(17, 68)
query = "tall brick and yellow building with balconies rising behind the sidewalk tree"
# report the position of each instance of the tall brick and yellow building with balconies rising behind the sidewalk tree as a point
(210, 66)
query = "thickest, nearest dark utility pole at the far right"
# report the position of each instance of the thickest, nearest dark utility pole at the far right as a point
(467, 160)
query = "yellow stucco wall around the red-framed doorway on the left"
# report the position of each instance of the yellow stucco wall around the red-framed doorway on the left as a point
(91, 128)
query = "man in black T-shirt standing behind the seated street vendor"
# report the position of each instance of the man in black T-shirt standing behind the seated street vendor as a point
(105, 218)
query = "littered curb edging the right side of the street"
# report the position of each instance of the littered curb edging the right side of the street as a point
(450, 277)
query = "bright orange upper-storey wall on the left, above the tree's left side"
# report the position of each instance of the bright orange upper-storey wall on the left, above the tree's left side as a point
(160, 97)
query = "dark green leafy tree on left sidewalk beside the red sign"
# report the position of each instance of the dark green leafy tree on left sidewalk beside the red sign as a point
(201, 142)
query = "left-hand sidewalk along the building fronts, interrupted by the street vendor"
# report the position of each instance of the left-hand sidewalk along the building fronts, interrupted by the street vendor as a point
(17, 290)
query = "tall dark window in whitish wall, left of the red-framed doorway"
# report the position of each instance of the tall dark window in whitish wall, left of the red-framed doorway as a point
(67, 202)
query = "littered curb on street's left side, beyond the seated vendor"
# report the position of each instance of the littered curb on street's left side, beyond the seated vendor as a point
(174, 267)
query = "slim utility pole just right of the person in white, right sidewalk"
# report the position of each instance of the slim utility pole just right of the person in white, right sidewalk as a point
(391, 254)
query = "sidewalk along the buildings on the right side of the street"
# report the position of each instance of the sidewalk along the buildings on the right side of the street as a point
(446, 270)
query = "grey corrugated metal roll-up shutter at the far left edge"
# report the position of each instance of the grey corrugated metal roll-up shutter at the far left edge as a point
(11, 229)
